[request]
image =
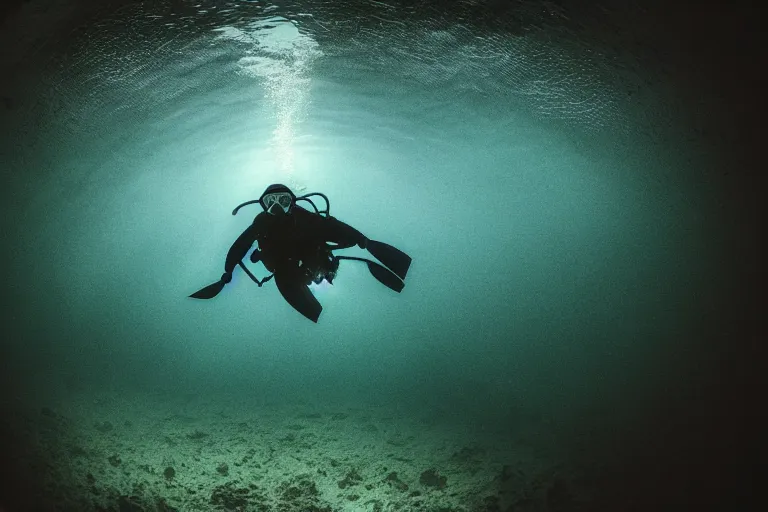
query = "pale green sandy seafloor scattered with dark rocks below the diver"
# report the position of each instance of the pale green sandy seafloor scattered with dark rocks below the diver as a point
(144, 453)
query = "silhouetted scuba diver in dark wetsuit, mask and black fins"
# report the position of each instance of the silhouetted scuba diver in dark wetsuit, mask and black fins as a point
(296, 246)
